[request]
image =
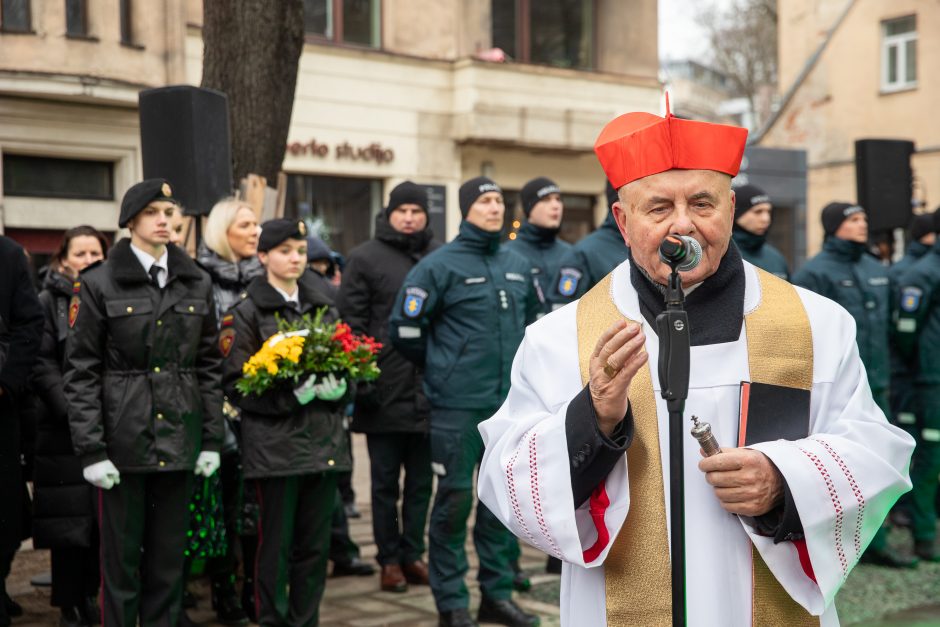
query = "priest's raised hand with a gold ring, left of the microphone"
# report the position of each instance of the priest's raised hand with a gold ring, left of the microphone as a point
(618, 355)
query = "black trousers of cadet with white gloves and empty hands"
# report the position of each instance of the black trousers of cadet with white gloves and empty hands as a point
(143, 525)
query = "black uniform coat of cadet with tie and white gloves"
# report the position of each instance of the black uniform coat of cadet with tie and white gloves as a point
(143, 366)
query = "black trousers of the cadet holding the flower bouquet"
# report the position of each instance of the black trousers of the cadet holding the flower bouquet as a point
(293, 542)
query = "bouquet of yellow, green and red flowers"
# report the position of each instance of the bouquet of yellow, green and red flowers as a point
(310, 346)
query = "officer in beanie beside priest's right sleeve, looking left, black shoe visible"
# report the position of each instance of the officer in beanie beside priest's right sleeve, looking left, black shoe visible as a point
(845, 273)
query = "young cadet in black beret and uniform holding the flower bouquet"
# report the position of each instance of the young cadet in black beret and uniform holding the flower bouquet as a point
(293, 442)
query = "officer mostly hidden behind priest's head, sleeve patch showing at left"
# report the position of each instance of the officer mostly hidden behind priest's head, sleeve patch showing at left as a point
(589, 260)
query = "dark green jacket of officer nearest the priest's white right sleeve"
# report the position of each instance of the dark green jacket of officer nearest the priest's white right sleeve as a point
(845, 273)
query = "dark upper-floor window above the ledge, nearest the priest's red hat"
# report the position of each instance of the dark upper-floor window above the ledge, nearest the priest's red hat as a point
(550, 32)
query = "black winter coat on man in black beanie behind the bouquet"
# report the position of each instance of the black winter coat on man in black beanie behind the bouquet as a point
(375, 271)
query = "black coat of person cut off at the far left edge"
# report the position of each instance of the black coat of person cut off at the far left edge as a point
(20, 333)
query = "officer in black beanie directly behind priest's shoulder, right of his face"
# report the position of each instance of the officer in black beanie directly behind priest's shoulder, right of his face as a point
(753, 214)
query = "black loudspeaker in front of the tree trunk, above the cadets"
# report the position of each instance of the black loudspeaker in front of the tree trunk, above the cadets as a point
(184, 136)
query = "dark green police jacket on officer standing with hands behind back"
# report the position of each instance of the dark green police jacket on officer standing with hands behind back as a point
(462, 312)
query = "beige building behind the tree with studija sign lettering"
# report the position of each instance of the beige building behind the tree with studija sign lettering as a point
(435, 91)
